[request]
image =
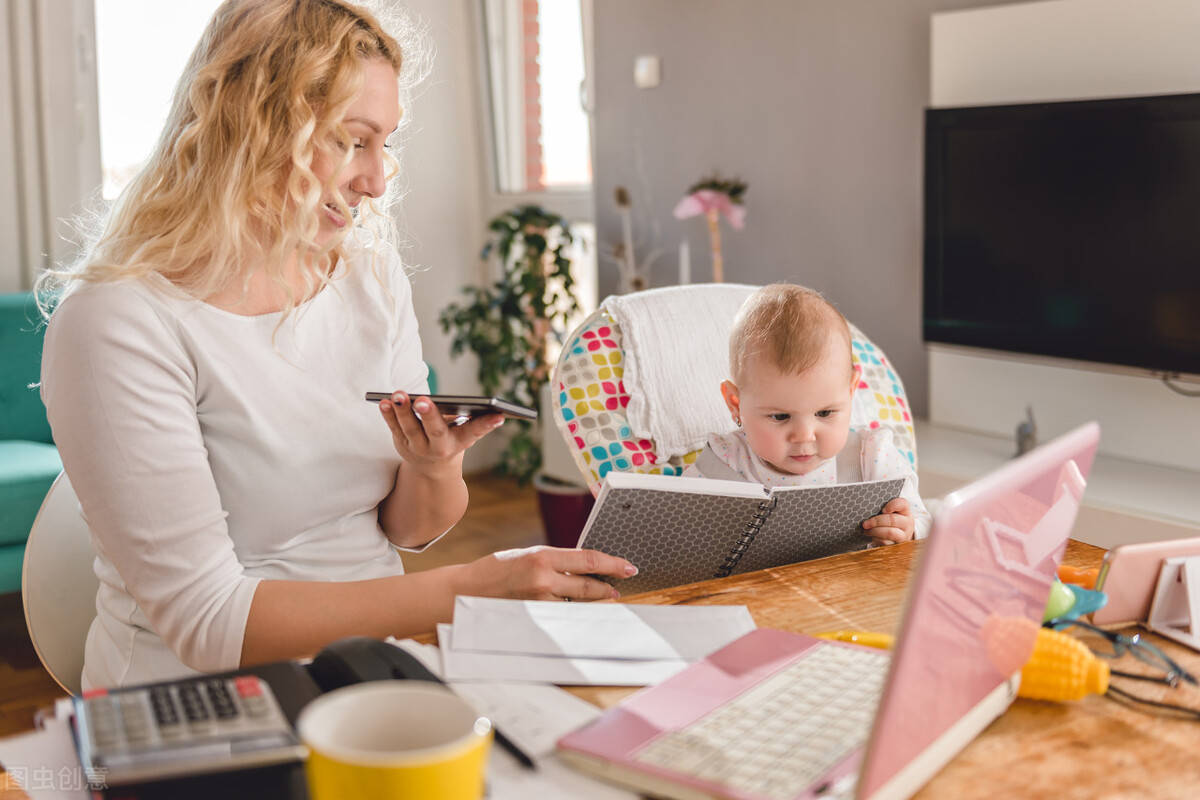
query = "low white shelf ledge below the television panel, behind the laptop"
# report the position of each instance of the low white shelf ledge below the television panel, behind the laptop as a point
(1139, 502)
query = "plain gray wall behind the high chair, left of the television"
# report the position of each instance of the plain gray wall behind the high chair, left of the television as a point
(818, 105)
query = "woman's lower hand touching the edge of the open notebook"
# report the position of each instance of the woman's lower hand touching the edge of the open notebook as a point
(545, 574)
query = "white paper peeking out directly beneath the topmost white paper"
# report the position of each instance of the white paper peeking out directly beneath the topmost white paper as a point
(466, 665)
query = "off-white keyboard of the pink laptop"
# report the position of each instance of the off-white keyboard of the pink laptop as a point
(781, 736)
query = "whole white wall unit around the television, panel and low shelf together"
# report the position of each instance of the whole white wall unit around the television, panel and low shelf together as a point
(1147, 482)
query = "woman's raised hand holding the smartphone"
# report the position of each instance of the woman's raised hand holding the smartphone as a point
(424, 440)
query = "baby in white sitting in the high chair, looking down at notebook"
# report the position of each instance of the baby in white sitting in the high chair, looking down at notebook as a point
(794, 380)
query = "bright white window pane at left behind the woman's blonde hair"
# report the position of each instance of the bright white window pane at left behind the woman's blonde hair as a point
(135, 98)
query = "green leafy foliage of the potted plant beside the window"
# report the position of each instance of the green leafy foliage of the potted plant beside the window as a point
(511, 324)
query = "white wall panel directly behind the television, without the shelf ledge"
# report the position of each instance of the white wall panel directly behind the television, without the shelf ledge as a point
(1065, 50)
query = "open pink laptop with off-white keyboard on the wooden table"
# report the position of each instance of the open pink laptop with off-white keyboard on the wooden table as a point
(778, 715)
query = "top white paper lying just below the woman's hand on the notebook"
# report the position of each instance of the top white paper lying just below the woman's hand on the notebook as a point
(596, 630)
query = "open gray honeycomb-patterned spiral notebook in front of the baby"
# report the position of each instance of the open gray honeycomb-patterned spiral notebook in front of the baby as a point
(686, 530)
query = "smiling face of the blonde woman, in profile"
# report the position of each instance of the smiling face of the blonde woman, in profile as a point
(370, 121)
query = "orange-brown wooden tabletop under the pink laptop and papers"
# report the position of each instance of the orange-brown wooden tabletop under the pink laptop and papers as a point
(1093, 749)
